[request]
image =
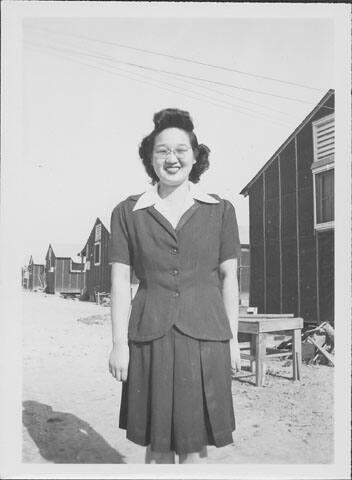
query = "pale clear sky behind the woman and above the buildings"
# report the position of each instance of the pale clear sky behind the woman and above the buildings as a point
(89, 95)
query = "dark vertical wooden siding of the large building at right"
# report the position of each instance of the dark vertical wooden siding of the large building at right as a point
(291, 268)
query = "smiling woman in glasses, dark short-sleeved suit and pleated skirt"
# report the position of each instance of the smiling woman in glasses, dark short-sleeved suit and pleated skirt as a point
(175, 350)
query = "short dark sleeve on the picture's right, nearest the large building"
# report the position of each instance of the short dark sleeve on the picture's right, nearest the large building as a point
(230, 246)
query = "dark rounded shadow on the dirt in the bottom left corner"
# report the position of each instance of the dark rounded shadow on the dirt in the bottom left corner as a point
(64, 438)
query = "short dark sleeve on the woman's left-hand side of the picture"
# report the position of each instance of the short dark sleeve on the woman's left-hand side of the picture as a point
(120, 250)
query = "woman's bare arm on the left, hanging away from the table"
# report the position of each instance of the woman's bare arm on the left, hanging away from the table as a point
(120, 310)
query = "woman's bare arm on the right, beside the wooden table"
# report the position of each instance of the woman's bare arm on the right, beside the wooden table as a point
(228, 276)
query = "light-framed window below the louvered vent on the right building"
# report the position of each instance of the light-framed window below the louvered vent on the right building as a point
(324, 197)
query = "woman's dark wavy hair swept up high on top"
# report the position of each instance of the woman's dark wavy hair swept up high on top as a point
(174, 118)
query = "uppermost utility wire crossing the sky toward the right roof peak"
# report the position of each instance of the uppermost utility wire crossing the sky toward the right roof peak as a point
(174, 57)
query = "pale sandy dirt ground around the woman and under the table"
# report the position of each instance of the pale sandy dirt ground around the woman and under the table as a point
(71, 402)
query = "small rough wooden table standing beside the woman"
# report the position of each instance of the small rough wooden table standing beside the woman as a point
(258, 325)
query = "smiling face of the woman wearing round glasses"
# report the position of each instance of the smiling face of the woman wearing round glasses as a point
(172, 156)
